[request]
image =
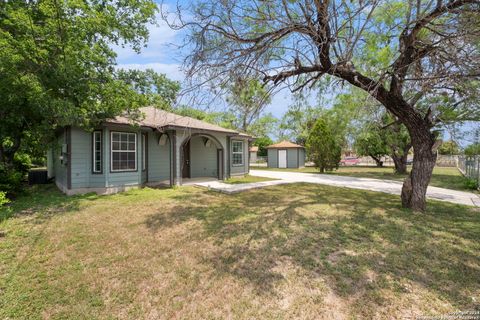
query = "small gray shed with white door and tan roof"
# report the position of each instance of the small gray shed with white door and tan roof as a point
(285, 154)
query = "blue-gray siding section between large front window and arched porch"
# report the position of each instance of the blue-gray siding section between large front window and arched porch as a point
(158, 159)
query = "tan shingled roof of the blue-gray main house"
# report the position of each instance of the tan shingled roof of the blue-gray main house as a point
(156, 118)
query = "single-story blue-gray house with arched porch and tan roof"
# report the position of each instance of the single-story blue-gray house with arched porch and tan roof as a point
(161, 148)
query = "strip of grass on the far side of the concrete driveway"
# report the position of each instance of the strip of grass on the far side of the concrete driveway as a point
(442, 177)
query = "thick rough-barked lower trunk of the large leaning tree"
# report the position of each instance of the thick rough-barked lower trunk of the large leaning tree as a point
(424, 157)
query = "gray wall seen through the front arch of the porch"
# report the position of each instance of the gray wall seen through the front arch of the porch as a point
(203, 159)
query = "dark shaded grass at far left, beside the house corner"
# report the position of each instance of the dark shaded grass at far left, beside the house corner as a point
(44, 201)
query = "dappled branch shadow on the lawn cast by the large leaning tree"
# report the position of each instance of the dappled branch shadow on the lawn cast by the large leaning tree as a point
(360, 242)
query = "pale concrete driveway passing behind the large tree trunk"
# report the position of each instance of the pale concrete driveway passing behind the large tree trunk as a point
(387, 186)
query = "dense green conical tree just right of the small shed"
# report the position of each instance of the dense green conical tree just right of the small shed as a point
(322, 147)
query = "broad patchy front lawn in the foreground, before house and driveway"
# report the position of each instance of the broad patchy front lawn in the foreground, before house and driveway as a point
(290, 251)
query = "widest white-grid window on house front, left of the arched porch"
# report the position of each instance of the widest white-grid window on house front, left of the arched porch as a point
(123, 153)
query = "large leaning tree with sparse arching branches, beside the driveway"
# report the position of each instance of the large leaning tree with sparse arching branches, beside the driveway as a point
(417, 59)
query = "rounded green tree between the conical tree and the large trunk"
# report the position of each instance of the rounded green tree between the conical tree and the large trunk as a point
(371, 143)
